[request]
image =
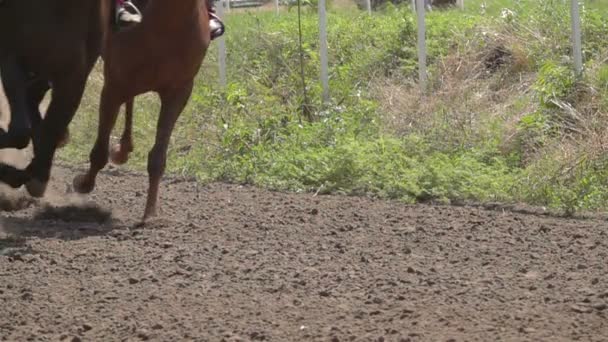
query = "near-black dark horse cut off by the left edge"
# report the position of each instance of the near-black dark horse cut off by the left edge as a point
(45, 44)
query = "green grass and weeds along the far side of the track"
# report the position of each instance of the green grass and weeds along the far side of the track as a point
(485, 136)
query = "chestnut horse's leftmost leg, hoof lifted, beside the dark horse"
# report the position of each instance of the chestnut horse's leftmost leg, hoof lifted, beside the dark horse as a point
(108, 112)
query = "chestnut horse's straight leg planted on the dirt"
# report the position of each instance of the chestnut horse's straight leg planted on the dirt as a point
(172, 104)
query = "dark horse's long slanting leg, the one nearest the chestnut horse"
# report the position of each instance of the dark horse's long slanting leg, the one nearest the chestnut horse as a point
(67, 94)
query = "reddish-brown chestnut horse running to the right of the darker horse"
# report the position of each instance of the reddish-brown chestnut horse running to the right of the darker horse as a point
(163, 54)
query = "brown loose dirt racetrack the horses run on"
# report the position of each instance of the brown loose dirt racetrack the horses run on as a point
(238, 263)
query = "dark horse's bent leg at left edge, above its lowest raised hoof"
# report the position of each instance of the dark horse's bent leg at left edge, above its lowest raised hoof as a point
(14, 80)
